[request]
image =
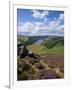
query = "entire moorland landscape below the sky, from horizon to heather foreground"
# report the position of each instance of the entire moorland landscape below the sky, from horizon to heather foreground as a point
(49, 61)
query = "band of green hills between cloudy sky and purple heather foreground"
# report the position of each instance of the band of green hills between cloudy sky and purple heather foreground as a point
(43, 44)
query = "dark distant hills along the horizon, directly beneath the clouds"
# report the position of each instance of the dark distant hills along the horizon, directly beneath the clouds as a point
(44, 40)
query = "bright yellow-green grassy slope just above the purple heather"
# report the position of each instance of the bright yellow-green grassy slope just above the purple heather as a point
(39, 49)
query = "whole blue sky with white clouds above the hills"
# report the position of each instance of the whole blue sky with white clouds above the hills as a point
(35, 22)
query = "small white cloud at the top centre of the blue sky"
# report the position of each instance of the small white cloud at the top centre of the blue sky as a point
(39, 15)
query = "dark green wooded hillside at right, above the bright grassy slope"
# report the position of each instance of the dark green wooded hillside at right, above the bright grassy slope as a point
(53, 42)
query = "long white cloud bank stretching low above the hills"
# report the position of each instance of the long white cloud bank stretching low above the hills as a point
(38, 28)
